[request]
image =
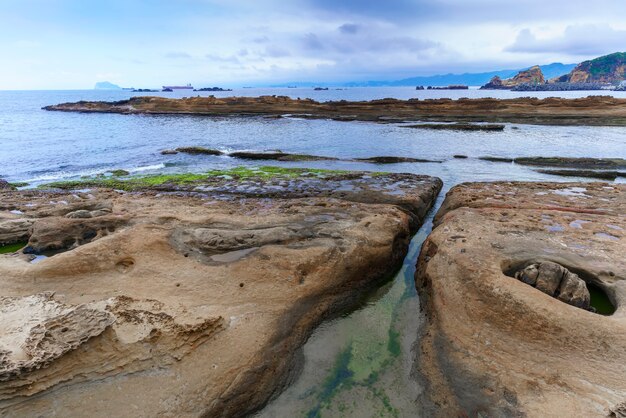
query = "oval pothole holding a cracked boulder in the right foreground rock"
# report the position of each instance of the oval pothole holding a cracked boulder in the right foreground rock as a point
(565, 285)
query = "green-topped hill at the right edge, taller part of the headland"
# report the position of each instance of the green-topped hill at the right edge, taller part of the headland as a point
(606, 69)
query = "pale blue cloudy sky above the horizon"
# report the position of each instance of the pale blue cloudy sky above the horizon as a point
(72, 44)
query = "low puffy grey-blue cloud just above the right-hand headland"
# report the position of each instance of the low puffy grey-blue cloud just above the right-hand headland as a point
(581, 40)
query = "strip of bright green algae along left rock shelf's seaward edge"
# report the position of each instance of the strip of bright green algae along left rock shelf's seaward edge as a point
(190, 179)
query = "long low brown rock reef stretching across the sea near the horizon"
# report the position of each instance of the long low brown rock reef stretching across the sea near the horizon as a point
(596, 110)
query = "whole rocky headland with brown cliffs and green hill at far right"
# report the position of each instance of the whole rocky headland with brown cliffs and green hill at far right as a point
(604, 73)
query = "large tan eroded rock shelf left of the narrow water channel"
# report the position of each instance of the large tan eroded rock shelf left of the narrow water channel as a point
(192, 300)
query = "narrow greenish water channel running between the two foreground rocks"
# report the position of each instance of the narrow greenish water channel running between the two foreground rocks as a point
(360, 365)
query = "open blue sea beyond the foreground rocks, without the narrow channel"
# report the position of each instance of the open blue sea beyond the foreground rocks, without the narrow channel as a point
(38, 146)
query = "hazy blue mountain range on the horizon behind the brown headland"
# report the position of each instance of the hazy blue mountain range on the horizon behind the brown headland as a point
(470, 79)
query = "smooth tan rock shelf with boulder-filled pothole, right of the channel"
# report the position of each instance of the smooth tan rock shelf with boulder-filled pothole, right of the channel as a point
(504, 280)
